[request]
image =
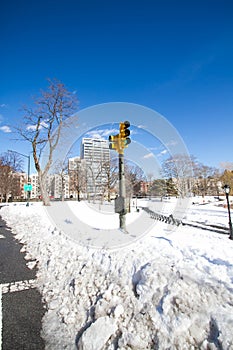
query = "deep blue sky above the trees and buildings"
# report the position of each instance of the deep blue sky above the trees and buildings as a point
(175, 57)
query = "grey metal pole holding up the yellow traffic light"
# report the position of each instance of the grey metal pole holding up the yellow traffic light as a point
(122, 192)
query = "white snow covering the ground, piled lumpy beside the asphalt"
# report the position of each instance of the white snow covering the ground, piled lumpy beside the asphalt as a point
(169, 289)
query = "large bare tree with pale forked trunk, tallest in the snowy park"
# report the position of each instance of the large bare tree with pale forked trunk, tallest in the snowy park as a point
(43, 124)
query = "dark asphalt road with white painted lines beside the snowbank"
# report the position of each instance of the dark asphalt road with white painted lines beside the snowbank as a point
(21, 308)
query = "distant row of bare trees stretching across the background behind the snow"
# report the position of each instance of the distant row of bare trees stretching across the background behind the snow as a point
(175, 178)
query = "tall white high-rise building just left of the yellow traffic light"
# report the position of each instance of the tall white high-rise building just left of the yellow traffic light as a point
(96, 154)
